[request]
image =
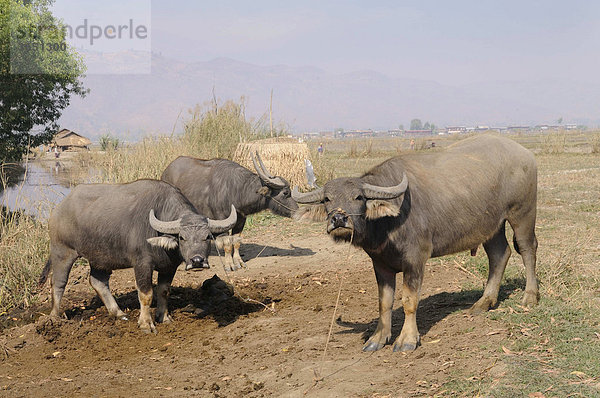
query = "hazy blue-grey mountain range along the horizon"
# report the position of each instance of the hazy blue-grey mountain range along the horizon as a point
(311, 99)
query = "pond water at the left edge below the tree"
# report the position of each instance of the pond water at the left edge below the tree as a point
(39, 190)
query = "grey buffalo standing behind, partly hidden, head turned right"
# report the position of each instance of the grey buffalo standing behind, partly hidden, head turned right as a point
(212, 185)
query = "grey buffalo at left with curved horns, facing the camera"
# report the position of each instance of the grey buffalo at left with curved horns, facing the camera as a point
(147, 224)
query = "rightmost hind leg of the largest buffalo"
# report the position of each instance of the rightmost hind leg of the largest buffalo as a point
(524, 228)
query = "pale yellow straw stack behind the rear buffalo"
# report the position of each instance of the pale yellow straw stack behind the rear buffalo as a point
(282, 156)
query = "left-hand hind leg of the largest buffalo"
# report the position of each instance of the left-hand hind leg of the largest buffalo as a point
(498, 253)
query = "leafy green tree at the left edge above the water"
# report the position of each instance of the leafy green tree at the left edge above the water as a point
(36, 84)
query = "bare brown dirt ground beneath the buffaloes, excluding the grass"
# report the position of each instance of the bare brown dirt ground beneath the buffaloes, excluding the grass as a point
(265, 339)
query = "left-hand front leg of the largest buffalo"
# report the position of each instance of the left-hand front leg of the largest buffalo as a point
(386, 285)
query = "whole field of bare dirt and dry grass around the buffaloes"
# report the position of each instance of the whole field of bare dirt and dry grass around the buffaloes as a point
(268, 336)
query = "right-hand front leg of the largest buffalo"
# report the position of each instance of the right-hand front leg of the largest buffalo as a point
(411, 288)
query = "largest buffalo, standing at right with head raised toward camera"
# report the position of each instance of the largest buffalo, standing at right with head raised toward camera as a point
(421, 205)
